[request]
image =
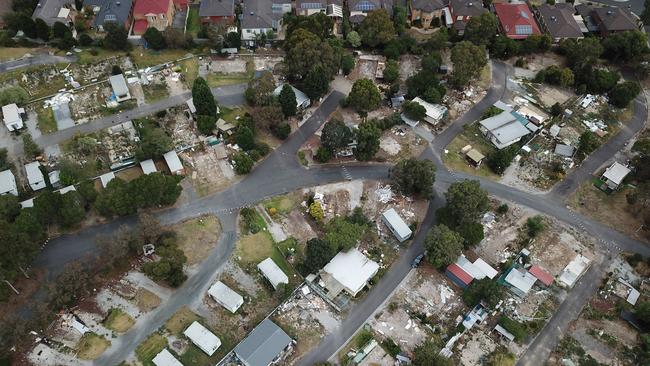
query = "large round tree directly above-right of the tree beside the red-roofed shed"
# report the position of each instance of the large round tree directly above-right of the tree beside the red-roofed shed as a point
(466, 201)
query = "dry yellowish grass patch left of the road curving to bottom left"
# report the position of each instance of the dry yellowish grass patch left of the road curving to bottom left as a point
(197, 237)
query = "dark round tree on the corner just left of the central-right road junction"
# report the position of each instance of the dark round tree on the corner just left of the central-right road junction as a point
(414, 177)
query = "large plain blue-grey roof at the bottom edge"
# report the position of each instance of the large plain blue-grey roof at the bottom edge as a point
(263, 344)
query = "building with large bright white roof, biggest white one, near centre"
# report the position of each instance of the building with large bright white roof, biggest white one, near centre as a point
(348, 271)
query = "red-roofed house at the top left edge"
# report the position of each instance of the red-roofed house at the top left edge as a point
(157, 14)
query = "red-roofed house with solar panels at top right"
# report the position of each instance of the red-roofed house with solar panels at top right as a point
(516, 20)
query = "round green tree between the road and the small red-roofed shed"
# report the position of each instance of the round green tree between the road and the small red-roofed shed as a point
(443, 246)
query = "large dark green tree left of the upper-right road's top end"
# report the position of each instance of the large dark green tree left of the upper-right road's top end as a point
(468, 60)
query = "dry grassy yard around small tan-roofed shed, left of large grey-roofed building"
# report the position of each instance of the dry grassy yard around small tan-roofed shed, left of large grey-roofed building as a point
(455, 160)
